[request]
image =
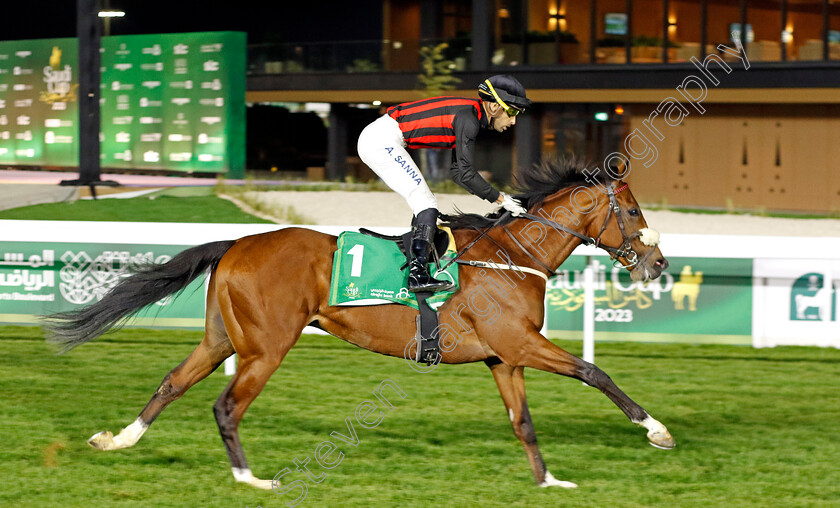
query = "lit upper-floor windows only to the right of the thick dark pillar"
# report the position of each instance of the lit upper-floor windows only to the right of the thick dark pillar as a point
(657, 31)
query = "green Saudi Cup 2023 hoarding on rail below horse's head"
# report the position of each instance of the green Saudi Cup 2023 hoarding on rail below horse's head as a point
(696, 300)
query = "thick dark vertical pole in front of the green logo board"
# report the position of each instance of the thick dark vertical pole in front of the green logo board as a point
(88, 32)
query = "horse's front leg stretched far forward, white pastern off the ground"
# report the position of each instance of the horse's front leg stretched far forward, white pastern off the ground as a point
(537, 352)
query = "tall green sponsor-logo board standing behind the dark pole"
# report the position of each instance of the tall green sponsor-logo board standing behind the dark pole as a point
(169, 101)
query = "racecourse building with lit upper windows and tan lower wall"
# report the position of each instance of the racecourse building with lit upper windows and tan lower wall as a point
(711, 115)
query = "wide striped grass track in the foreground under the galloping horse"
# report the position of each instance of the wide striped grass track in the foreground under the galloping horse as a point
(754, 428)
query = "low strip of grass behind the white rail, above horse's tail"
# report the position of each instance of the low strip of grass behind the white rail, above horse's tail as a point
(155, 208)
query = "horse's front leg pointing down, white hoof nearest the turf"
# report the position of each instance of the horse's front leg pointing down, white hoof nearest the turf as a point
(511, 383)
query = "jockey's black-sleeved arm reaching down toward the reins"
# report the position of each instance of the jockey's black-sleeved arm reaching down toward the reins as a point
(462, 171)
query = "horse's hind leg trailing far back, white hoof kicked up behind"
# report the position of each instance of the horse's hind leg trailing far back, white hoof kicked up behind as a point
(213, 350)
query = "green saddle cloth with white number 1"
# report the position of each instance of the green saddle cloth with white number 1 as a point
(366, 271)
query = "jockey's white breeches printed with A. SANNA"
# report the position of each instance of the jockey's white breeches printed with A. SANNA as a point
(382, 147)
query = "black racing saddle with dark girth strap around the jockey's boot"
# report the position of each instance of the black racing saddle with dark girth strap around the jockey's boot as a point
(427, 336)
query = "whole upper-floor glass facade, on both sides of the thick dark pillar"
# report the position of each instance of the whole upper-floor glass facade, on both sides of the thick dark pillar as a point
(547, 33)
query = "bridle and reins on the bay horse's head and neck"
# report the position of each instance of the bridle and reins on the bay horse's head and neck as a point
(625, 250)
